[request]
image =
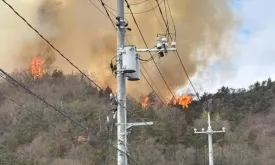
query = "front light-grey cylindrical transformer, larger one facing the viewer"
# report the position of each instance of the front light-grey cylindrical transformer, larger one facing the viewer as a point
(129, 59)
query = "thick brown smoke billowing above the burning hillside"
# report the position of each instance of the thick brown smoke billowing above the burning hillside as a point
(88, 39)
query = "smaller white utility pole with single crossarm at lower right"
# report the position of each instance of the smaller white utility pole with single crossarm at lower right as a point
(209, 132)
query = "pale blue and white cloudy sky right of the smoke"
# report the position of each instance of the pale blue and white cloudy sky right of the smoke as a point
(255, 59)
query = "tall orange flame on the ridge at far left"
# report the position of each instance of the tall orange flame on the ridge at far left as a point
(37, 67)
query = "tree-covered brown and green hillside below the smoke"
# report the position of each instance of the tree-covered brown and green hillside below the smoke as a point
(46, 137)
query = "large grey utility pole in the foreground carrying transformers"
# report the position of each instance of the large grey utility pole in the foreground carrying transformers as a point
(128, 66)
